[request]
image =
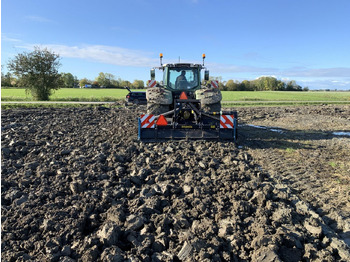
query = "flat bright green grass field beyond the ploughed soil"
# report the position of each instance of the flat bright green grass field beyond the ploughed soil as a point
(238, 97)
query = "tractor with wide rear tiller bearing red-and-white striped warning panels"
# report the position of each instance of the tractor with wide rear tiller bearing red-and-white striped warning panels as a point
(184, 107)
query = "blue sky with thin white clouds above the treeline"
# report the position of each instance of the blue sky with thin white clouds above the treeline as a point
(303, 40)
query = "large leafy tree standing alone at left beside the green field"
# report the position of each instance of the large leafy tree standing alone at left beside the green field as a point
(37, 71)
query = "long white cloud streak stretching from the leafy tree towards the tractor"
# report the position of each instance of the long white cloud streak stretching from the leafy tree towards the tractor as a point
(104, 54)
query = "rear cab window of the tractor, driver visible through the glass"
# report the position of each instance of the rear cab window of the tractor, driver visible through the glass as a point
(183, 78)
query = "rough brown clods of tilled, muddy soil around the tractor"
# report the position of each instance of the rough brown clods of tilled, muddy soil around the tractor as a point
(76, 185)
